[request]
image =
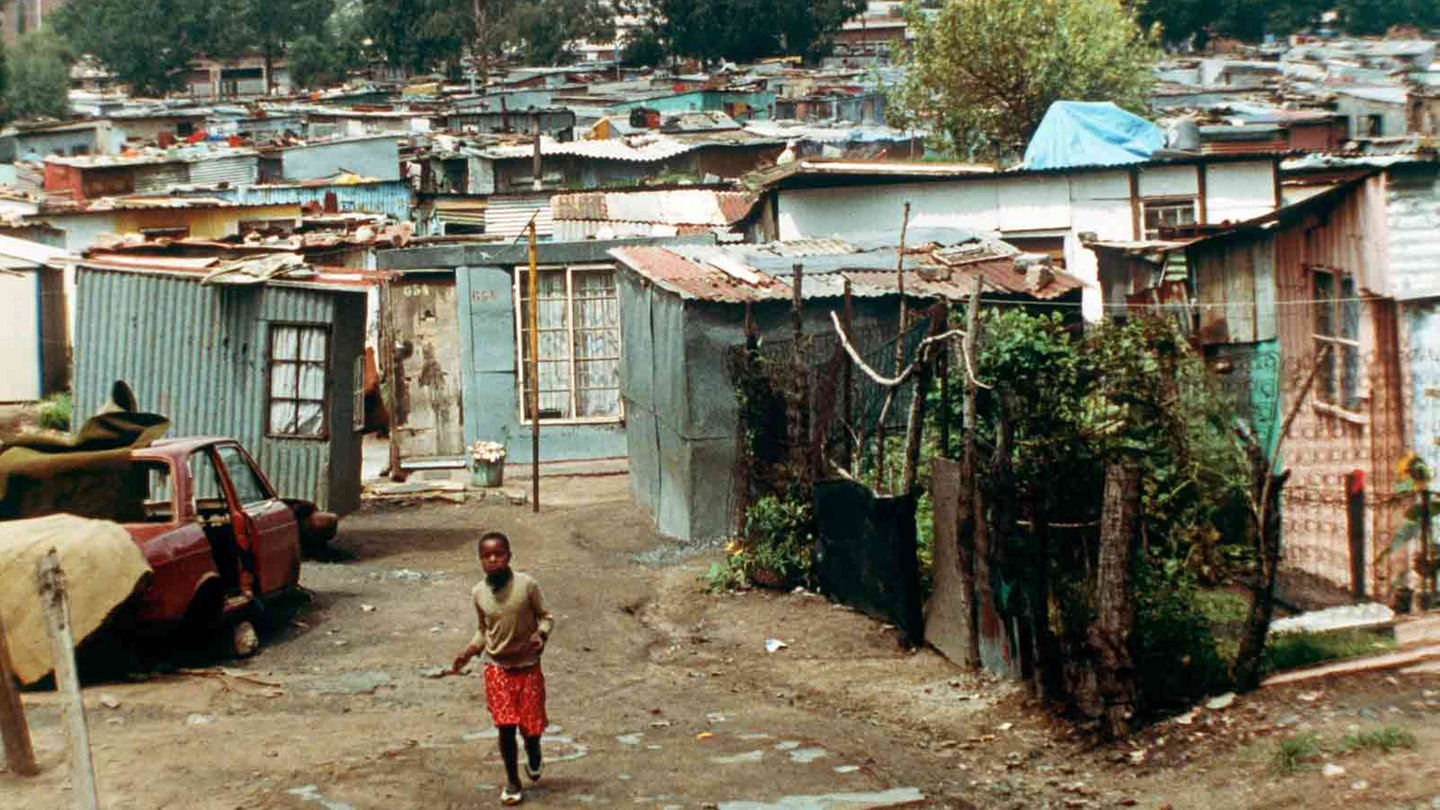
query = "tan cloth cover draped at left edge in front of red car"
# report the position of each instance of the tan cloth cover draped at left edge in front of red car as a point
(103, 566)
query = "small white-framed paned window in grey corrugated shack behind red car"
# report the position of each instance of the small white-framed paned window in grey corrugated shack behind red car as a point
(299, 358)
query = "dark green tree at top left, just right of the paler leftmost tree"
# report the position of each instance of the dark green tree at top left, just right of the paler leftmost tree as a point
(146, 43)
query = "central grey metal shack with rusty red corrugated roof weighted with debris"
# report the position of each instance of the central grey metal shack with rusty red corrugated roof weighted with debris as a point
(685, 311)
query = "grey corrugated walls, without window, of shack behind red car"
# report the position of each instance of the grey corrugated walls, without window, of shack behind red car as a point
(198, 355)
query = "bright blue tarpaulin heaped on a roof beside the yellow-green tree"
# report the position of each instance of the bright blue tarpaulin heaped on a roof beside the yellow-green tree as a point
(1092, 133)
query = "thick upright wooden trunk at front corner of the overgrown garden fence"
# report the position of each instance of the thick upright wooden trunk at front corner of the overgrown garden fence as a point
(1112, 635)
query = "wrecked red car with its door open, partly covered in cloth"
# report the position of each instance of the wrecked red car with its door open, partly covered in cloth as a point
(217, 535)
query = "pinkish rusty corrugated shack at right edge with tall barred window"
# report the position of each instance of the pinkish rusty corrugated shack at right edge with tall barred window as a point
(1265, 299)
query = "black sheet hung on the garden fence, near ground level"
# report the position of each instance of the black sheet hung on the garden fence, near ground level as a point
(868, 554)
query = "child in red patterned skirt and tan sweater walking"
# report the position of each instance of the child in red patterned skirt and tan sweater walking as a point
(515, 628)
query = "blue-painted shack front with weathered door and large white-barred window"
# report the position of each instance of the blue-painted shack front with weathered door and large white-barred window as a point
(456, 322)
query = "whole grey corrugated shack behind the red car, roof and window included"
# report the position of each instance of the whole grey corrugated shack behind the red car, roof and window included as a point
(269, 352)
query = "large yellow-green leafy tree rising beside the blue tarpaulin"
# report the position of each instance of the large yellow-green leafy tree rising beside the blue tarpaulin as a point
(987, 71)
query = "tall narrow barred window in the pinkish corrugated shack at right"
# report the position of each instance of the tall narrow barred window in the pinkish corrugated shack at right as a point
(1337, 326)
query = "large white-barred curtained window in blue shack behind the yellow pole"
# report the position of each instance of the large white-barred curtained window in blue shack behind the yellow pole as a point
(580, 344)
